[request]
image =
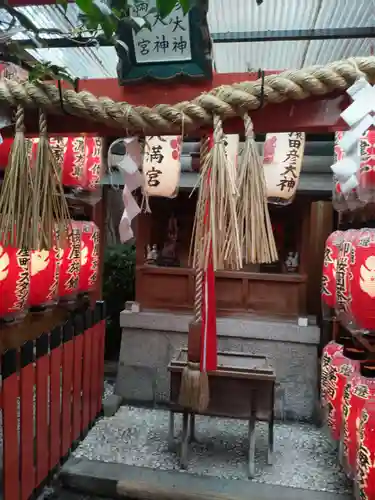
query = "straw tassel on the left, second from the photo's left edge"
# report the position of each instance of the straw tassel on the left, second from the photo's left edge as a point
(50, 209)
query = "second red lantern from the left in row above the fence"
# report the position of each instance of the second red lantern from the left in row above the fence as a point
(44, 277)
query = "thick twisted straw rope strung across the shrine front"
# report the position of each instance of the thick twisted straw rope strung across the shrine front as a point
(225, 101)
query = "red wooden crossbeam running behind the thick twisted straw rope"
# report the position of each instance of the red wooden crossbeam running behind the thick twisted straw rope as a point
(314, 115)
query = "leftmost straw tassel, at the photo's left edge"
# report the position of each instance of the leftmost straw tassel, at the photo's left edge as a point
(16, 191)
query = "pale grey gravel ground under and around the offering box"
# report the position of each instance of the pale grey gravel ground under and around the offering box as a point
(303, 457)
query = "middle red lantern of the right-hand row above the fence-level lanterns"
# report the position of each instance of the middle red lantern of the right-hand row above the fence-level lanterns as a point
(346, 258)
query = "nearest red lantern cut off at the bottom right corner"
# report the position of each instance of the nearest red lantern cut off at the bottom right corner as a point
(365, 457)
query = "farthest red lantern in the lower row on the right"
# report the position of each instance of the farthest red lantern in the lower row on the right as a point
(343, 366)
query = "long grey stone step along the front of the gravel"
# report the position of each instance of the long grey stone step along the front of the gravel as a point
(126, 481)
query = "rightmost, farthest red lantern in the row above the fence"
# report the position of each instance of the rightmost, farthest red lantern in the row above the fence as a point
(89, 256)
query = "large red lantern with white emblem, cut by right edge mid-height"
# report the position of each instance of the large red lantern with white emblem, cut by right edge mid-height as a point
(362, 284)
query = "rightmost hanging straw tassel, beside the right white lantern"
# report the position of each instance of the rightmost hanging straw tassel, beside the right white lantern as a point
(258, 240)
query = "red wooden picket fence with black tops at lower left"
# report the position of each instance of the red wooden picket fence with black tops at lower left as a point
(51, 395)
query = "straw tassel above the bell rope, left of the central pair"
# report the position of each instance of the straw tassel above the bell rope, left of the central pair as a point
(216, 222)
